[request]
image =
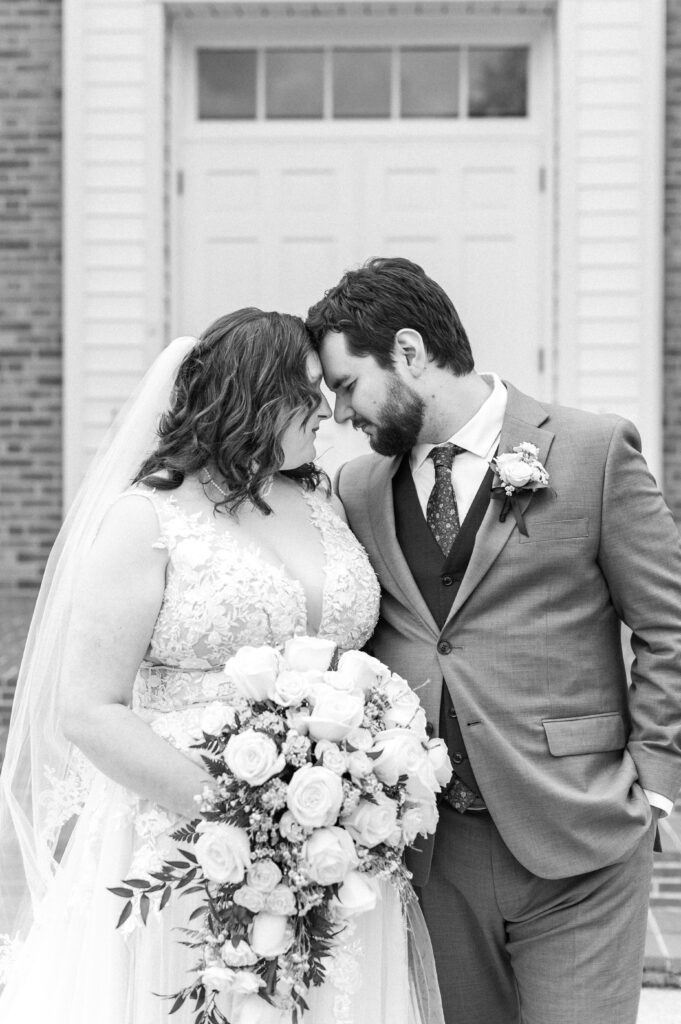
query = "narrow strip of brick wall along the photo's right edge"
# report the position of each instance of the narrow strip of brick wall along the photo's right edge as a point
(672, 364)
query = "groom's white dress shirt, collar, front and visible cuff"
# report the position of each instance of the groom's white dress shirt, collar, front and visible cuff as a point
(481, 439)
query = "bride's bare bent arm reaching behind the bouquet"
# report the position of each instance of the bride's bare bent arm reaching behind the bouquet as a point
(118, 600)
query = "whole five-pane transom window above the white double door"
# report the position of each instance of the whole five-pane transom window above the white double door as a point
(362, 82)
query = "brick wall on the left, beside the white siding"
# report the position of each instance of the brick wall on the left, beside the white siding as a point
(30, 288)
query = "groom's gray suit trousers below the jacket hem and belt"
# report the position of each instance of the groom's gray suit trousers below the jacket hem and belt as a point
(515, 949)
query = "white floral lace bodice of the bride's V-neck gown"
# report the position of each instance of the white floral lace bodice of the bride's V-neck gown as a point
(222, 594)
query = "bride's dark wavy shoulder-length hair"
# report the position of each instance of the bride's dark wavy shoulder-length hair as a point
(235, 394)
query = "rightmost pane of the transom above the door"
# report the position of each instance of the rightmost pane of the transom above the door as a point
(498, 83)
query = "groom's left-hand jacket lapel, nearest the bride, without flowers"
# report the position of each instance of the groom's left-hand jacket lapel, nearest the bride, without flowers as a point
(382, 517)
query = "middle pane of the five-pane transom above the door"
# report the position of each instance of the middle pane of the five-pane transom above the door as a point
(362, 83)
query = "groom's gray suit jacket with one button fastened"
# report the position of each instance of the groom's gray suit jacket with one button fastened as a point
(561, 748)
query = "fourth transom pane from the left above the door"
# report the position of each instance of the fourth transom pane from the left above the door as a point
(430, 83)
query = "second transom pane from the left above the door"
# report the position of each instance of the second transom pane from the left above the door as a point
(295, 83)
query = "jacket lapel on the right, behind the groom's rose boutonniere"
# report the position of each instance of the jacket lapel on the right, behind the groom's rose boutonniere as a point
(523, 422)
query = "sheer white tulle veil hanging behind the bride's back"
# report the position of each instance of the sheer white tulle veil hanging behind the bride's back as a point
(38, 759)
